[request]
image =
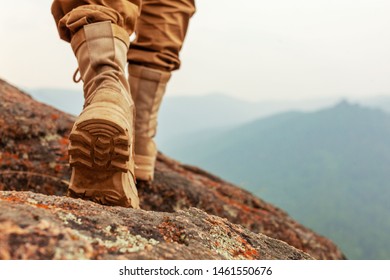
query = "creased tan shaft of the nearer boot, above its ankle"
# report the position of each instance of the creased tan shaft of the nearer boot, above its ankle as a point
(101, 50)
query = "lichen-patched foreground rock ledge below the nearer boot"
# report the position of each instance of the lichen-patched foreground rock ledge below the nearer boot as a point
(36, 226)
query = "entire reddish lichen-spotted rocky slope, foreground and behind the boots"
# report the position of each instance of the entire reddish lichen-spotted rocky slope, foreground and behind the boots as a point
(33, 157)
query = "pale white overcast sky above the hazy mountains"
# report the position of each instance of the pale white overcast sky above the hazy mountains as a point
(252, 49)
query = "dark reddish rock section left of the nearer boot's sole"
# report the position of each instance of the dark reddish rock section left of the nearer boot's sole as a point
(33, 143)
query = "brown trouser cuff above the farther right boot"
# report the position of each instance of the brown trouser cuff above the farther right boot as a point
(161, 29)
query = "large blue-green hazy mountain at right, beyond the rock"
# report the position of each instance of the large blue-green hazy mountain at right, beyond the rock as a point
(333, 164)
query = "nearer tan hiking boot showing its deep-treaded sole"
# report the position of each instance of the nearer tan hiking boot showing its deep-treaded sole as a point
(101, 141)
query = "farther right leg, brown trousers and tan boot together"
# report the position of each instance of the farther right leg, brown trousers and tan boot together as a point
(160, 31)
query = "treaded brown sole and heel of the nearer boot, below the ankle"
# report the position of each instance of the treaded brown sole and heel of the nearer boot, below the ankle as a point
(99, 152)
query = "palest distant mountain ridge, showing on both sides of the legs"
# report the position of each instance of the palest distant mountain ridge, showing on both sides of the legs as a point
(182, 115)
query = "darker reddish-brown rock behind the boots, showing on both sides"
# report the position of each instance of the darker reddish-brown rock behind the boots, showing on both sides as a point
(34, 158)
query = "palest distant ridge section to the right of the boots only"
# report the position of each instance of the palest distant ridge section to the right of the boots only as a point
(185, 115)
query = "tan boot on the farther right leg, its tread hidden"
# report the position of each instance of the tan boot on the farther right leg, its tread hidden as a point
(147, 89)
